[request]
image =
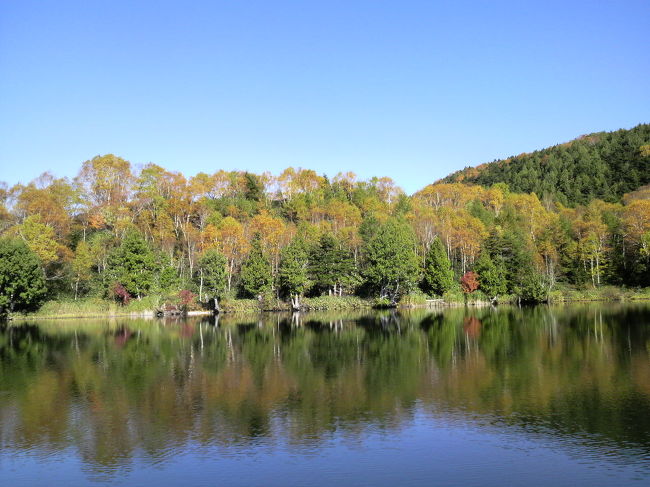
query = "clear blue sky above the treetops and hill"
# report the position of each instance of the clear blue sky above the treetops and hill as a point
(407, 89)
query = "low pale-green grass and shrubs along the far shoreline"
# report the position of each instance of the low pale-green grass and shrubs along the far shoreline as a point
(148, 306)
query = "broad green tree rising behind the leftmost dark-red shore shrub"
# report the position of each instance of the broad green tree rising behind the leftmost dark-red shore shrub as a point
(133, 264)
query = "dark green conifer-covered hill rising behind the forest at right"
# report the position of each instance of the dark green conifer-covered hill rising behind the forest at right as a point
(603, 165)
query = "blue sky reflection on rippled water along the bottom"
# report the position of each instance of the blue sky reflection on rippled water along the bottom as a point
(427, 450)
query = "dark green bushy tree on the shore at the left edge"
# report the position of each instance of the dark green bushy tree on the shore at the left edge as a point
(22, 283)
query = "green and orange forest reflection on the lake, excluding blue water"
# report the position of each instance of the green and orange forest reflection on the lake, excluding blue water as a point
(112, 390)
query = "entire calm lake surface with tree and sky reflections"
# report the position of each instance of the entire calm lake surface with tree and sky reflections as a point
(538, 396)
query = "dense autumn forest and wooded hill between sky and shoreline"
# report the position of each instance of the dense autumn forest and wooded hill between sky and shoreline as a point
(121, 233)
